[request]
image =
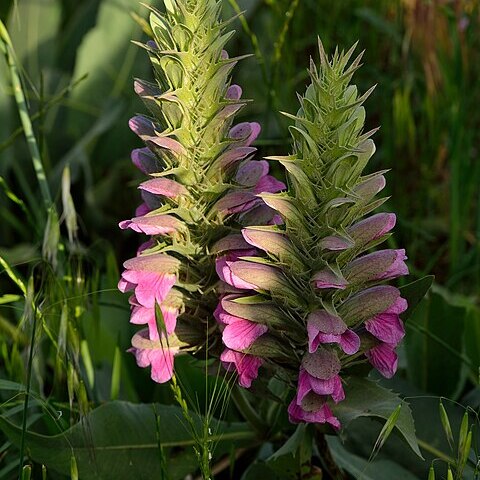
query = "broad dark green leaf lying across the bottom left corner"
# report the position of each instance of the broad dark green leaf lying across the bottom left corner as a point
(118, 441)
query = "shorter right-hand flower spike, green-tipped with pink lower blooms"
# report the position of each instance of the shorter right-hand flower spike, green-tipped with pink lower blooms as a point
(315, 302)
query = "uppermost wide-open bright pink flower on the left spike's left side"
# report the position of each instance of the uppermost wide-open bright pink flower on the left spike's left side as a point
(151, 276)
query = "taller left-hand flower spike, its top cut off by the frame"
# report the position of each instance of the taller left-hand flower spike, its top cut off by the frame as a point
(201, 181)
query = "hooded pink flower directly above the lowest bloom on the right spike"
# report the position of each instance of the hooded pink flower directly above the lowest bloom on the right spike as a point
(323, 327)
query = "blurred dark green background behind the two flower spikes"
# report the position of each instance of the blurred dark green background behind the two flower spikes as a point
(78, 65)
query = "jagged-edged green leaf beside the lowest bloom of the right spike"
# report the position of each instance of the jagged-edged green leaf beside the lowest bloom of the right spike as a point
(365, 398)
